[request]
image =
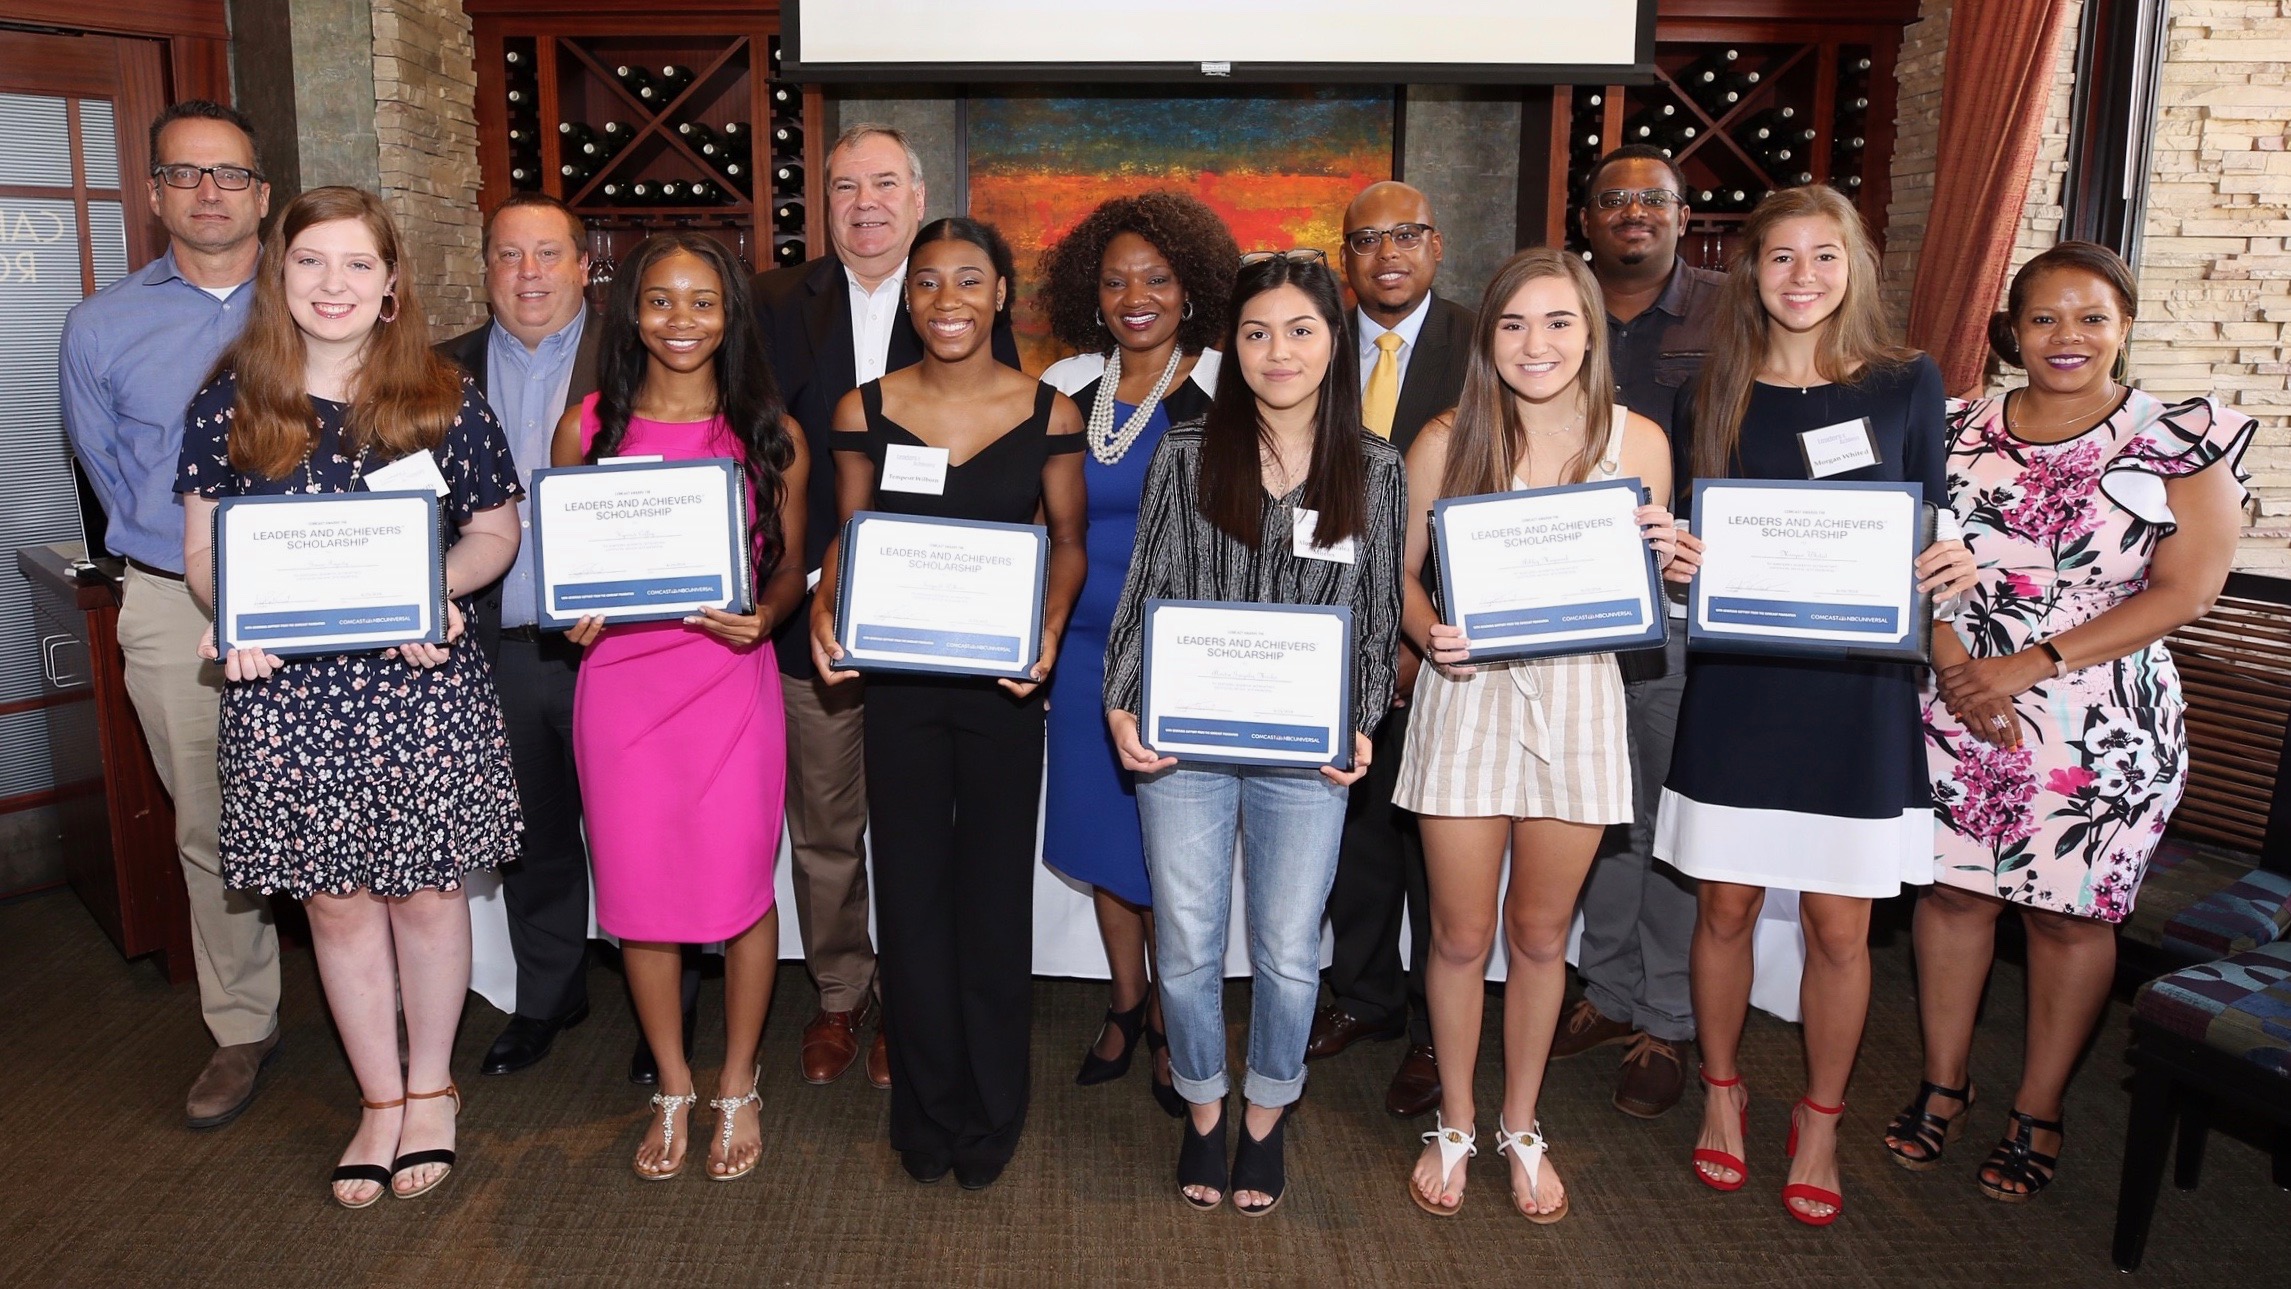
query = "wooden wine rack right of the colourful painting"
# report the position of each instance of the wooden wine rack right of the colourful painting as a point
(1742, 104)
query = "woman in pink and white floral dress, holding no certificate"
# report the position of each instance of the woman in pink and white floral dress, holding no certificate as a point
(2056, 736)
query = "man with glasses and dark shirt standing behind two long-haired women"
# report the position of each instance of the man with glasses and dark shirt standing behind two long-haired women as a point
(1639, 917)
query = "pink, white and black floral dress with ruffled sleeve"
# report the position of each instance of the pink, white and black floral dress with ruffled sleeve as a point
(2065, 532)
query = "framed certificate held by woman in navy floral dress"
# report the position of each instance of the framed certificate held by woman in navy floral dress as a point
(329, 574)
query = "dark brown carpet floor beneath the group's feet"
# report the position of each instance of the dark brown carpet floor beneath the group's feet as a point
(102, 1185)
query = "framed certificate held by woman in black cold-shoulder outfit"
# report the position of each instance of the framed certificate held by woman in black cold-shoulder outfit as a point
(950, 596)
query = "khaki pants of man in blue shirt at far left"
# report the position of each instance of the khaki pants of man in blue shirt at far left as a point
(180, 704)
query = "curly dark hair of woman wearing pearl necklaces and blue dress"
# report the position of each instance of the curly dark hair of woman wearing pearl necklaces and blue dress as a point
(1190, 235)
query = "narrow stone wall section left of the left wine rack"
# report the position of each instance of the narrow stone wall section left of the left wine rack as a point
(425, 122)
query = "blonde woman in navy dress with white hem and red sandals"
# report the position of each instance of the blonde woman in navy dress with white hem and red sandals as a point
(1795, 773)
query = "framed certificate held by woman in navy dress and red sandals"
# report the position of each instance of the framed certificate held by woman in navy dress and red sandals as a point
(1811, 569)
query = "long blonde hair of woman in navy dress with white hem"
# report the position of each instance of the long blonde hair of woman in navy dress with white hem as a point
(1857, 340)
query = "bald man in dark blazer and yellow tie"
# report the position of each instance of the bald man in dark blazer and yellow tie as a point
(1412, 367)
